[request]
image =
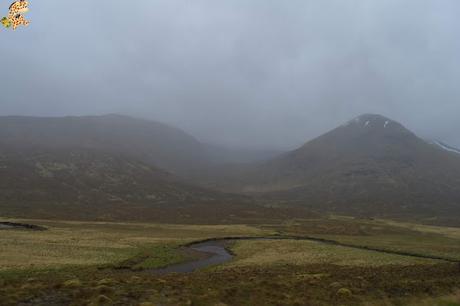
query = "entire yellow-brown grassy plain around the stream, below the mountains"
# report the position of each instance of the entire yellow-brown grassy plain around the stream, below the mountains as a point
(100, 263)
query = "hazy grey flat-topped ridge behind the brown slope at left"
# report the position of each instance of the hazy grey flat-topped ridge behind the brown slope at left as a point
(152, 142)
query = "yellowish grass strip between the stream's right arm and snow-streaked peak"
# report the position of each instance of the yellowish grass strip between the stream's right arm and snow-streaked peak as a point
(383, 234)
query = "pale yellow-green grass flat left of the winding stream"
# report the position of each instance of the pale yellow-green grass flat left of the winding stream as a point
(99, 243)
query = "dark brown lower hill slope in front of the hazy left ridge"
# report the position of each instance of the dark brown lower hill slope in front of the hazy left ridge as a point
(82, 184)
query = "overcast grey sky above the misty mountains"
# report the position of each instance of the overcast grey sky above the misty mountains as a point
(256, 73)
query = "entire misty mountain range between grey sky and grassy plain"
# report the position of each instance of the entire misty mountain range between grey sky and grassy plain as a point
(370, 165)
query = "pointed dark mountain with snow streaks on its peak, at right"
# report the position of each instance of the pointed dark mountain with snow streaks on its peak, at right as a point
(370, 164)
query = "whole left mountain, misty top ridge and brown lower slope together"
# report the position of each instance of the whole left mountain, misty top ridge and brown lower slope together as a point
(112, 167)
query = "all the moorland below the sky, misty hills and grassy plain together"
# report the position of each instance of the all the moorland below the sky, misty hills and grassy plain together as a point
(96, 209)
